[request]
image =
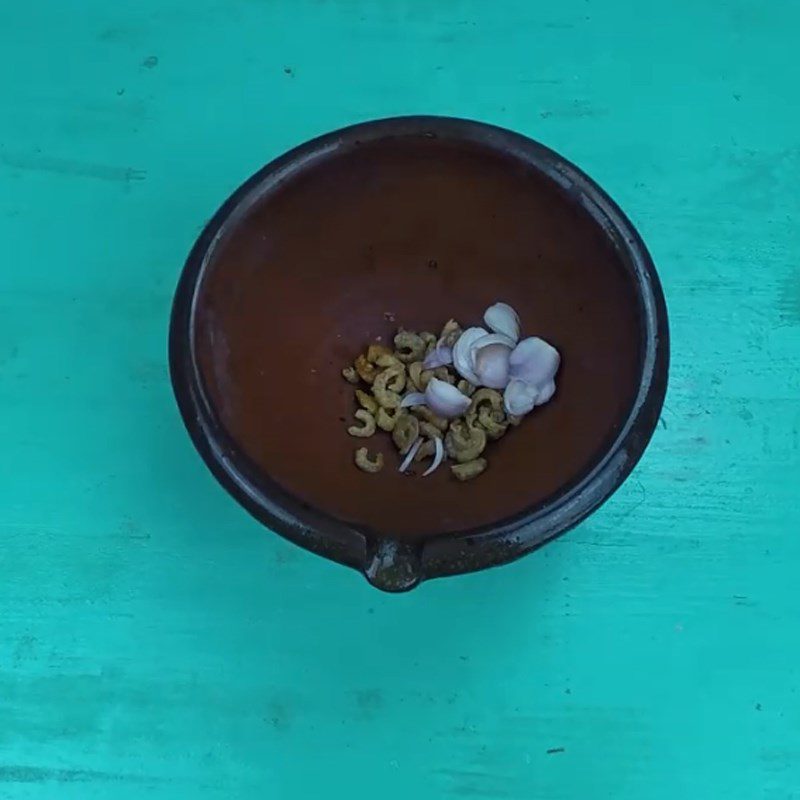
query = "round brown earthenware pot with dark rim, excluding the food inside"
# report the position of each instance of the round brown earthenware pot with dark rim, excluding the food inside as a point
(410, 221)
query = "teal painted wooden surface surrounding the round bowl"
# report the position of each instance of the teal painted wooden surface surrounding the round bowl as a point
(155, 642)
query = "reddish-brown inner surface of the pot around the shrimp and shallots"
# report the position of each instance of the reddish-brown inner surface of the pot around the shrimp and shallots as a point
(424, 230)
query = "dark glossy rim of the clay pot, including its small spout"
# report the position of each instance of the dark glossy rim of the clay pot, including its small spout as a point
(387, 563)
